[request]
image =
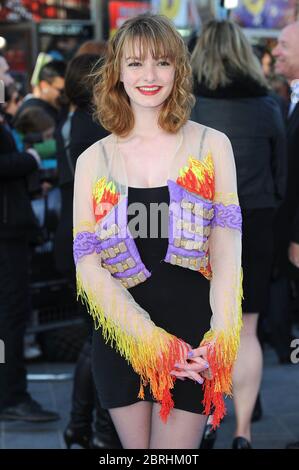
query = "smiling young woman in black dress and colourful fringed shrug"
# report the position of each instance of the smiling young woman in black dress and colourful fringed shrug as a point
(148, 278)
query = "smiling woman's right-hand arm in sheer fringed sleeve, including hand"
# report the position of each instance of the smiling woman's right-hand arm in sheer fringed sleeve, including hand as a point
(220, 344)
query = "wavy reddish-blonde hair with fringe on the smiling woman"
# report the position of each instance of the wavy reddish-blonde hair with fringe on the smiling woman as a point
(147, 32)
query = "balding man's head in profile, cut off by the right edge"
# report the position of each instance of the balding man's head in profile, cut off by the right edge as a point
(286, 52)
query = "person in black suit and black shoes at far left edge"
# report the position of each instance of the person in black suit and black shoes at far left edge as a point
(16, 225)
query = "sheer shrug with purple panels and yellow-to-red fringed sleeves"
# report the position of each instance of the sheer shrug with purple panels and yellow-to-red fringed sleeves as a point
(204, 235)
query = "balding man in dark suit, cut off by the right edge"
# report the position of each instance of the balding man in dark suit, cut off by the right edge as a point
(286, 55)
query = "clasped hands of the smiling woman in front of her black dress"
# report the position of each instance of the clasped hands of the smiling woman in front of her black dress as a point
(195, 367)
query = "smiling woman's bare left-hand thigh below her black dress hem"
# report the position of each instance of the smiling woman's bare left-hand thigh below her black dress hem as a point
(133, 424)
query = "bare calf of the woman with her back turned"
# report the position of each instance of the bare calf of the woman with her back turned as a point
(247, 375)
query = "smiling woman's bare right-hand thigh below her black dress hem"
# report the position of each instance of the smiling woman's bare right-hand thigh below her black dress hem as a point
(183, 430)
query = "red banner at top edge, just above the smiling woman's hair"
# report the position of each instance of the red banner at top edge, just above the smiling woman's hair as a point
(120, 11)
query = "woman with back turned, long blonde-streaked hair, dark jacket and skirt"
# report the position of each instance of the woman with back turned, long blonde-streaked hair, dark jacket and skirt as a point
(233, 97)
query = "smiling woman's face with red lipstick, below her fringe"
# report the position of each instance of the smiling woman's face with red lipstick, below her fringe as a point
(148, 82)
